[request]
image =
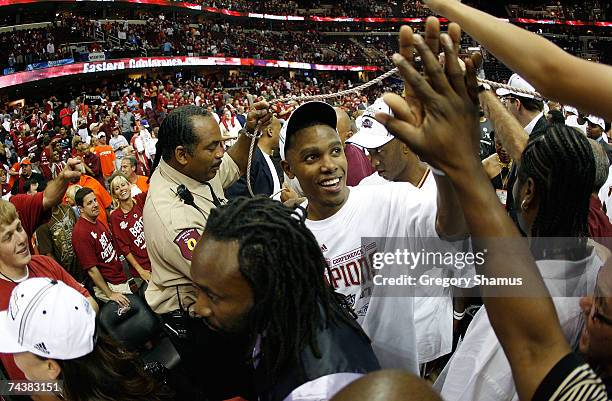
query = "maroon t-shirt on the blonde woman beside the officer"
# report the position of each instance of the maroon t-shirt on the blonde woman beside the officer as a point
(128, 232)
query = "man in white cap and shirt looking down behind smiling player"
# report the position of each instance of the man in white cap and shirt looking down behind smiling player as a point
(395, 162)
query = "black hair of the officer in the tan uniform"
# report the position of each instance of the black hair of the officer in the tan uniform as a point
(177, 130)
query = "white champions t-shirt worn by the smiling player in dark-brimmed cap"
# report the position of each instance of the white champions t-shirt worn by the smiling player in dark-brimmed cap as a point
(374, 213)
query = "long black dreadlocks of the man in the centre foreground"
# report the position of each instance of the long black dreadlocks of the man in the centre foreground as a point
(282, 261)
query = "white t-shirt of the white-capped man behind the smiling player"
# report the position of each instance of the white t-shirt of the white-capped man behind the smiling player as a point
(433, 315)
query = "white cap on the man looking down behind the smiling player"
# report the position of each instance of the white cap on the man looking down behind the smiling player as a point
(370, 133)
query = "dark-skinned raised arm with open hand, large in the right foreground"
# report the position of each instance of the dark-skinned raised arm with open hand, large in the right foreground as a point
(523, 317)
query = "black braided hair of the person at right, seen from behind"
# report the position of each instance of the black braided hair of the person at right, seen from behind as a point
(560, 161)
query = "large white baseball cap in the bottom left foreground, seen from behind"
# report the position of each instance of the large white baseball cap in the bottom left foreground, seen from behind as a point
(49, 319)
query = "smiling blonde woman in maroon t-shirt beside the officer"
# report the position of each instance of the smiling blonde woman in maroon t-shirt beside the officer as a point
(127, 228)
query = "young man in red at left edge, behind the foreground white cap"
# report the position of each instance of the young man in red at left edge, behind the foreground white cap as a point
(17, 264)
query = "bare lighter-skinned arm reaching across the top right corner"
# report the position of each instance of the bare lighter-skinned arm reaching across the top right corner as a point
(553, 72)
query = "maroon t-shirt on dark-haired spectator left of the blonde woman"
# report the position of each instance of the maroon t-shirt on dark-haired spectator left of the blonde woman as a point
(93, 246)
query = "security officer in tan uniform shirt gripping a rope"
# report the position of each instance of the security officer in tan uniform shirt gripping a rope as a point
(192, 170)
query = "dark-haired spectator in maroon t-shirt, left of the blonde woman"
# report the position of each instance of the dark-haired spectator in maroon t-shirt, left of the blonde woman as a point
(93, 245)
